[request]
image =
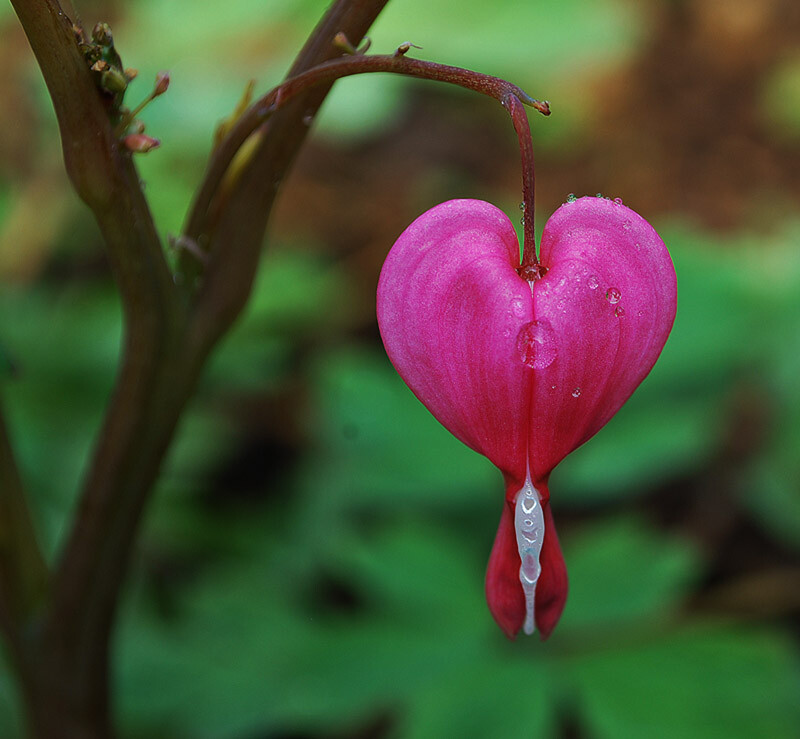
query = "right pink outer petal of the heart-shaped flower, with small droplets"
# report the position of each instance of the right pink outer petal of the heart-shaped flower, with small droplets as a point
(608, 303)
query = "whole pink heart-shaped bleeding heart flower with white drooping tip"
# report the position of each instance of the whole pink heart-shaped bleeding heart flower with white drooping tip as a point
(522, 371)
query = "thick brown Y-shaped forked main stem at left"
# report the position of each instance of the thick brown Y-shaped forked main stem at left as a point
(163, 353)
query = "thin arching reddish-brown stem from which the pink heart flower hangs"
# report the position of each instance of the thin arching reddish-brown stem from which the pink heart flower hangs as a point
(511, 96)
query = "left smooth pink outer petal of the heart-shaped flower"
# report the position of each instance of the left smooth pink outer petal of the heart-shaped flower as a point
(450, 308)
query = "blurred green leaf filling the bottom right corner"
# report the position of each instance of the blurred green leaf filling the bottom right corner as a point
(704, 682)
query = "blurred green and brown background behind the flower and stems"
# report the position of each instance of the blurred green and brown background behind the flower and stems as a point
(312, 563)
